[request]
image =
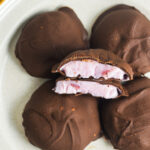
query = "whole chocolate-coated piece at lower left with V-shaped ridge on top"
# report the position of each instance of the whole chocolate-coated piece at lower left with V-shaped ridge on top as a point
(61, 122)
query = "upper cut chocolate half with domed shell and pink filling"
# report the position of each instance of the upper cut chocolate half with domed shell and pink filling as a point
(95, 63)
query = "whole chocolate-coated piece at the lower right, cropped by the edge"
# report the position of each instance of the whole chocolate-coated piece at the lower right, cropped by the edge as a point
(126, 121)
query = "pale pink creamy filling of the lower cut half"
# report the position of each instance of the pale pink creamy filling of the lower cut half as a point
(87, 87)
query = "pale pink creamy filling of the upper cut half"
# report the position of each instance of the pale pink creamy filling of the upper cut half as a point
(90, 68)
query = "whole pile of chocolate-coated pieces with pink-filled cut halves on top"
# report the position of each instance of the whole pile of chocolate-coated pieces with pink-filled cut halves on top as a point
(89, 93)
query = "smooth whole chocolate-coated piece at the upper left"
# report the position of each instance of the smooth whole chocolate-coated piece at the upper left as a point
(48, 38)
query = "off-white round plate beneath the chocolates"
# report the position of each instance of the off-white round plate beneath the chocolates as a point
(16, 86)
